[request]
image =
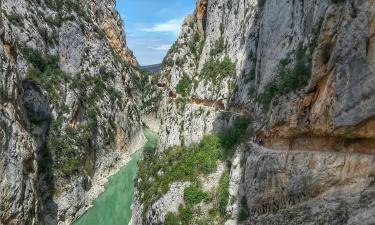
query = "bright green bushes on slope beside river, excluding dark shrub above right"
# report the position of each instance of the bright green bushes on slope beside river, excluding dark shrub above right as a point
(178, 164)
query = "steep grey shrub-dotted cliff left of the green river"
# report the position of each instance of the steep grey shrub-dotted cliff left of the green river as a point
(69, 115)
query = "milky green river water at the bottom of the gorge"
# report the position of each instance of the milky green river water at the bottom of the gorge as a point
(112, 207)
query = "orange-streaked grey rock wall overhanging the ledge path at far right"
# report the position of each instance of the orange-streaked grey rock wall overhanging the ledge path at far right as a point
(336, 104)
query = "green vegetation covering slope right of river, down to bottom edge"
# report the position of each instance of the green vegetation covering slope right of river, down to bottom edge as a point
(157, 171)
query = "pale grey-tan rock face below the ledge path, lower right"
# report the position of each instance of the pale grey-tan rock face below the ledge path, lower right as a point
(284, 187)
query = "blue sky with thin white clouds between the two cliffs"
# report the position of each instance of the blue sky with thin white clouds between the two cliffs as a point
(153, 25)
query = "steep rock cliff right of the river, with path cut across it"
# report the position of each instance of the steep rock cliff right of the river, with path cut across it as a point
(302, 71)
